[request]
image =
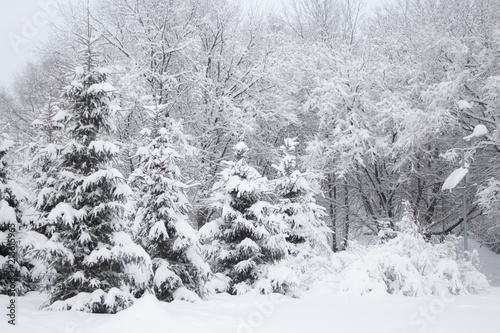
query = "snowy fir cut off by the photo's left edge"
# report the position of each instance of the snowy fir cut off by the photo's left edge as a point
(15, 270)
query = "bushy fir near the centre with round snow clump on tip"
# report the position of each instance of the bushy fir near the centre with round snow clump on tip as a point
(245, 239)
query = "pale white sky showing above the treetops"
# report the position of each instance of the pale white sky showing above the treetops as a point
(23, 24)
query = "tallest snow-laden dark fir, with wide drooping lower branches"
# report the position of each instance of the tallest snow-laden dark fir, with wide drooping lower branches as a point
(81, 207)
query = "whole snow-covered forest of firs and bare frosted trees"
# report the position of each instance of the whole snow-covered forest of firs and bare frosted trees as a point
(186, 149)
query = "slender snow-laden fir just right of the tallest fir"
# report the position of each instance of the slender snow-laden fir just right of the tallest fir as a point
(161, 222)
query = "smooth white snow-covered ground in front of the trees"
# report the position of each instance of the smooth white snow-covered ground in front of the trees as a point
(319, 310)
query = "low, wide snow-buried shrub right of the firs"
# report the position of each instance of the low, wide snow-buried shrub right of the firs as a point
(410, 266)
